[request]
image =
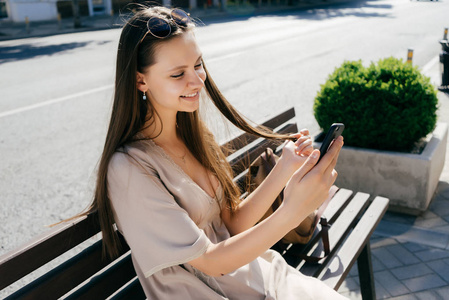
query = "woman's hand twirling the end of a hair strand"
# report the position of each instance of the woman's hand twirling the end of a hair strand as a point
(295, 154)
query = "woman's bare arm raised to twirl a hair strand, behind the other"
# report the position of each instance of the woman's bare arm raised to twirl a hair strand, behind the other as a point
(253, 207)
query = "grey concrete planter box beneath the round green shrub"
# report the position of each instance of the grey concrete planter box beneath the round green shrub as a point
(408, 180)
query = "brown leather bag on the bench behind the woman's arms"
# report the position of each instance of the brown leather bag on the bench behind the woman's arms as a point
(258, 171)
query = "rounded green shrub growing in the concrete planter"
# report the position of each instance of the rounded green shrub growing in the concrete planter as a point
(387, 106)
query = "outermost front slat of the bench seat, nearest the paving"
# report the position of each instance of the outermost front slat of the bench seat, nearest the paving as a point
(342, 262)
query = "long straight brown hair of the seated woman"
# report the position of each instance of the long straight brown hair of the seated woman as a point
(130, 114)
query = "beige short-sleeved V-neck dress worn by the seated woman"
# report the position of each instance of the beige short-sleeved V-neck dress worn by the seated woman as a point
(168, 220)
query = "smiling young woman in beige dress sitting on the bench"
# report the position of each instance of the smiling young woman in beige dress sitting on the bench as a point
(166, 184)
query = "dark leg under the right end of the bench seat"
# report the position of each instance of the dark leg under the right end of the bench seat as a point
(366, 275)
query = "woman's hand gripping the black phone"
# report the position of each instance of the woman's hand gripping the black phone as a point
(309, 186)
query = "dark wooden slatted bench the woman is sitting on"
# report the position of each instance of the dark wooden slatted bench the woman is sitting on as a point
(86, 275)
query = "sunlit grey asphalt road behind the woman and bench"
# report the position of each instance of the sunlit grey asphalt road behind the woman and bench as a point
(56, 92)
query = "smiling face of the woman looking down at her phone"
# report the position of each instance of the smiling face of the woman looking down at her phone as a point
(173, 83)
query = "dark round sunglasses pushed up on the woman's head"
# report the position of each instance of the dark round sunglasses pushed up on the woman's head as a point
(160, 28)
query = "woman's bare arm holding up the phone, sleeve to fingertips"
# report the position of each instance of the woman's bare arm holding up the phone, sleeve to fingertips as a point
(305, 191)
